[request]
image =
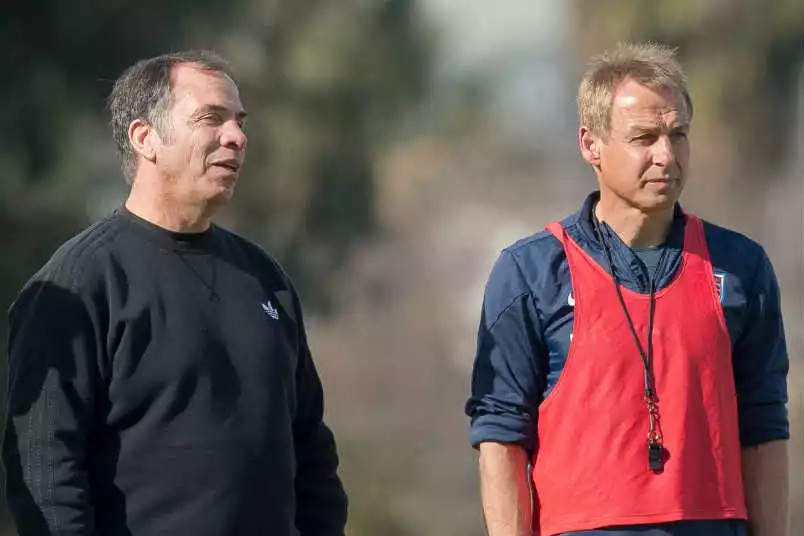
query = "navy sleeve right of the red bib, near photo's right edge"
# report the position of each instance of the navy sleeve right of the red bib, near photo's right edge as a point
(761, 362)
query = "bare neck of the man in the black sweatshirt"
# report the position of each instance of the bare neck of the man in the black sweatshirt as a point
(159, 207)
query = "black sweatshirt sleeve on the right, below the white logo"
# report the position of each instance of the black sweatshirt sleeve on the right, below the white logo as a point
(321, 503)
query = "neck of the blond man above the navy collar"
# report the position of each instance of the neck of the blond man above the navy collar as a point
(635, 228)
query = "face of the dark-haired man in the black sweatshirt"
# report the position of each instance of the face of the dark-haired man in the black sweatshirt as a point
(203, 146)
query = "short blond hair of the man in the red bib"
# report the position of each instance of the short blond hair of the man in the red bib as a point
(650, 64)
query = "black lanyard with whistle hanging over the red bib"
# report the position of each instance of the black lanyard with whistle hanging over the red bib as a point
(651, 399)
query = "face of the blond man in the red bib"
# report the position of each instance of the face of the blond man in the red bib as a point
(645, 158)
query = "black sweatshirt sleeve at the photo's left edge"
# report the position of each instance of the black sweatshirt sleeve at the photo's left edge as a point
(50, 399)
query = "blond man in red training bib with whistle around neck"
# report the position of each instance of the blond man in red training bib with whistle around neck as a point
(631, 366)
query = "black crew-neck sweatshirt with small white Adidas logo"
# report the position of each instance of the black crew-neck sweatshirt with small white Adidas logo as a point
(161, 383)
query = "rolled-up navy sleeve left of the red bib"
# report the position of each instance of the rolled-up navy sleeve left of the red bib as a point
(507, 380)
